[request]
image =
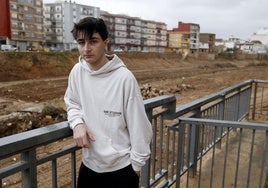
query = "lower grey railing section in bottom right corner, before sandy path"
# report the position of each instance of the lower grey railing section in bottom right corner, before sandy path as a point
(242, 162)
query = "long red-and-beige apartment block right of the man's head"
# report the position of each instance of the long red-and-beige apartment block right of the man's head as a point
(135, 34)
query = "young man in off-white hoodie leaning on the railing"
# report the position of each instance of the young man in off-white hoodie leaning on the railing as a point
(106, 112)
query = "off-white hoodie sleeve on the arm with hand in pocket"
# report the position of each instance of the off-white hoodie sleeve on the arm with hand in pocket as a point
(139, 127)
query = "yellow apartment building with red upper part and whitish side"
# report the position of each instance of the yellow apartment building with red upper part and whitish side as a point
(184, 37)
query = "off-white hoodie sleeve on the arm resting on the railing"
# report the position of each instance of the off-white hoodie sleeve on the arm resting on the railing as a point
(72, 102)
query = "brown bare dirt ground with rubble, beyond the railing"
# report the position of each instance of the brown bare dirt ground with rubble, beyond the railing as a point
(32, 85)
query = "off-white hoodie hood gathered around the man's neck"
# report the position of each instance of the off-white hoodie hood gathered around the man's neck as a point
(114, 63)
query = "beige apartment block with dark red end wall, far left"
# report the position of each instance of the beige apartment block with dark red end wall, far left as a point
(21, 23)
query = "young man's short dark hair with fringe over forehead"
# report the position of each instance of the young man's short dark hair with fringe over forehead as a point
(90, 25)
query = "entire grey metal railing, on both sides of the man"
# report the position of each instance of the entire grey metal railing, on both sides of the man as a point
(186, 140)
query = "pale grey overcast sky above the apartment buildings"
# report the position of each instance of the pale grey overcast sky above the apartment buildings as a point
(225, 18)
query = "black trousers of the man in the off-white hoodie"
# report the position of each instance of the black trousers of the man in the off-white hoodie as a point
(123, 178)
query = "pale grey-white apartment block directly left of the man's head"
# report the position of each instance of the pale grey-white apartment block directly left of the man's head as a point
(59, 20)
